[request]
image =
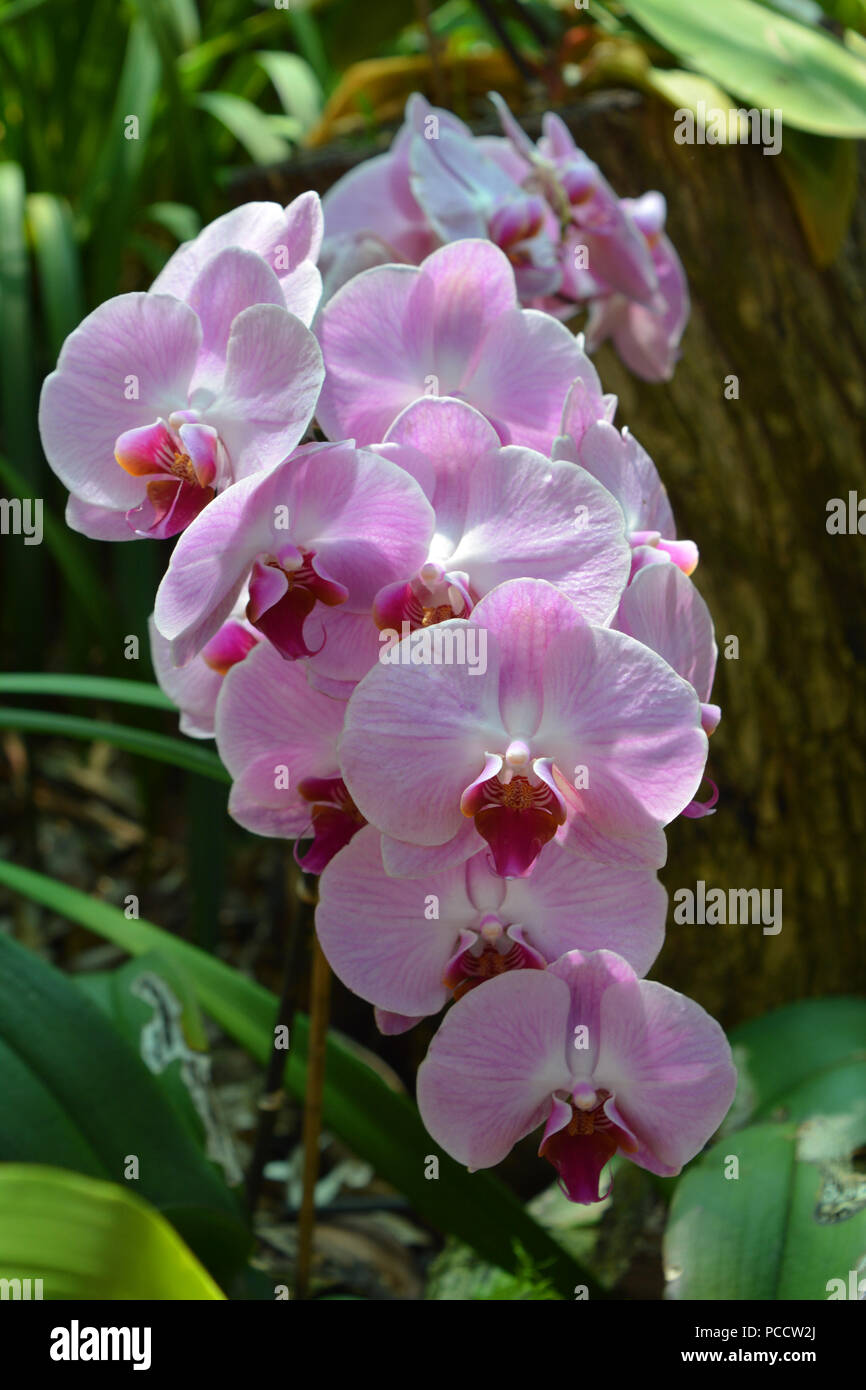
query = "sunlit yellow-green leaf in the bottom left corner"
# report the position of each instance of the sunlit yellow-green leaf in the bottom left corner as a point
(91, 1241)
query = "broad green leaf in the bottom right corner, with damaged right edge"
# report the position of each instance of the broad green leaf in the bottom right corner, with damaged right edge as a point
(775, 1232)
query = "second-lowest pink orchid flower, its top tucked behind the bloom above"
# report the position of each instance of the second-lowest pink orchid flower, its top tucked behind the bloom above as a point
(409, 945)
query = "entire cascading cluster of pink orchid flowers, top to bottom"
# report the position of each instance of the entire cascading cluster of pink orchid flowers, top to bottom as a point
(447, 639)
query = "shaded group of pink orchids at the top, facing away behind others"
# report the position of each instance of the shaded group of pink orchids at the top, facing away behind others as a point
(572, 243)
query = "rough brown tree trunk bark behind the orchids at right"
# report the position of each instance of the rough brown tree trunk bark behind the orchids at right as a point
(750, 482)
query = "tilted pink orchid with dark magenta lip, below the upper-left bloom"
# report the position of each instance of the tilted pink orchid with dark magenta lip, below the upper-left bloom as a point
(326, 529)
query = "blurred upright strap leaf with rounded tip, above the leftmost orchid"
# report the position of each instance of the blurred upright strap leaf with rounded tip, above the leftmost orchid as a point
(59, 266)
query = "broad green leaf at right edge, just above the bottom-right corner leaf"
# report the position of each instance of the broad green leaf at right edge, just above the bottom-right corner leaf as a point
(794, 1046)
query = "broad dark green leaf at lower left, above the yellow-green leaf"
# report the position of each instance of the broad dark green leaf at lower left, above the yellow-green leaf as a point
(109, 1096)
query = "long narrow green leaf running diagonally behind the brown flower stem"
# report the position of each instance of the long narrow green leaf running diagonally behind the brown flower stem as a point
(377, 1124)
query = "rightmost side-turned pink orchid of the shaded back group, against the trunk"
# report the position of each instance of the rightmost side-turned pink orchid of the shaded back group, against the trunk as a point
(647, 336)
